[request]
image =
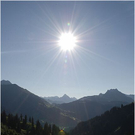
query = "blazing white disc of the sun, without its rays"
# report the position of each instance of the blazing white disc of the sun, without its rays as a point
(67, 41)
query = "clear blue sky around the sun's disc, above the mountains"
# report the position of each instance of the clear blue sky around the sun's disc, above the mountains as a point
(102, 59)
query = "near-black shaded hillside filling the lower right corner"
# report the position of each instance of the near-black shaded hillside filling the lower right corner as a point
(117, 121)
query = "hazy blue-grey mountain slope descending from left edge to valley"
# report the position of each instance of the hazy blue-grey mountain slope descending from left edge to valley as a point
(15, 99)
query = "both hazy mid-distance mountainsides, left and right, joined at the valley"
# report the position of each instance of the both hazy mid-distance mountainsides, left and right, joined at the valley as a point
(15, 99)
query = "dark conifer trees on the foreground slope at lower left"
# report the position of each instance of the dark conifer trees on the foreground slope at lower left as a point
(24, 125)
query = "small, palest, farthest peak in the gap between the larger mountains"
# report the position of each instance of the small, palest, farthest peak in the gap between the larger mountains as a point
(59, 100)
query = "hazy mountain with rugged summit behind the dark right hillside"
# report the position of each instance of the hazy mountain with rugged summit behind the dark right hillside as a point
(91, 106)
